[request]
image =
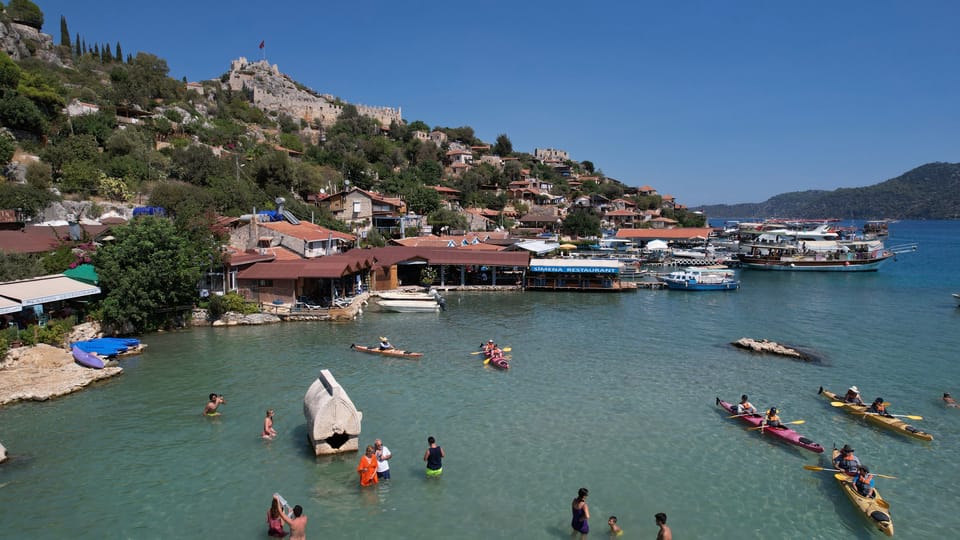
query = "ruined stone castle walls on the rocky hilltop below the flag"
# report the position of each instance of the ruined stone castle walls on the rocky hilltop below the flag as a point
(274, 91)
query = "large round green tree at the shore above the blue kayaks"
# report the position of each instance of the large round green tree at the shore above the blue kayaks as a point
(149, 274)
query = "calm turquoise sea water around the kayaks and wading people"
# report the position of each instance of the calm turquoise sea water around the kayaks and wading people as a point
(612, 392)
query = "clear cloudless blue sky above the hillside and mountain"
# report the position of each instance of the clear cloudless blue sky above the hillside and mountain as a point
(709, 101)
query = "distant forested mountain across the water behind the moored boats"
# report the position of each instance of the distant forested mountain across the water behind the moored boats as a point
(931, 191)
